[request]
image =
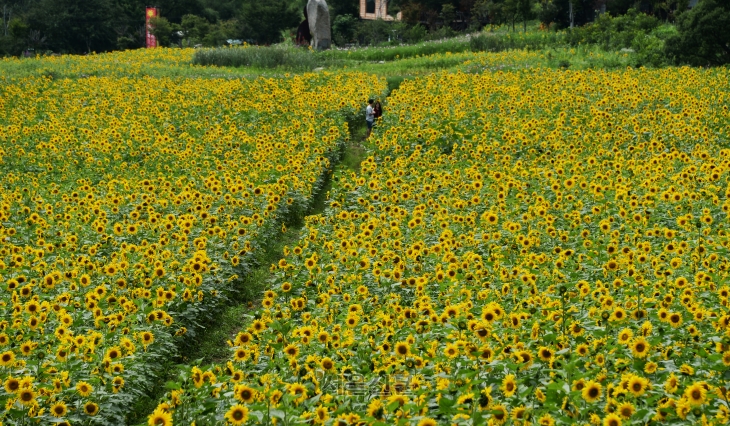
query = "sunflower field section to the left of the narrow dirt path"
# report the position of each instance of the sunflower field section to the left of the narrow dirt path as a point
(129, 207)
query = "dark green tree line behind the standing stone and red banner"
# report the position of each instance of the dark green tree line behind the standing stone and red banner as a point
(82, 26)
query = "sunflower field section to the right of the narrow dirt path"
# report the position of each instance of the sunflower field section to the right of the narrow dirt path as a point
(533, 247)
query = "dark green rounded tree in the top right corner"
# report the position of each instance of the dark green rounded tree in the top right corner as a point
(702, 35)
